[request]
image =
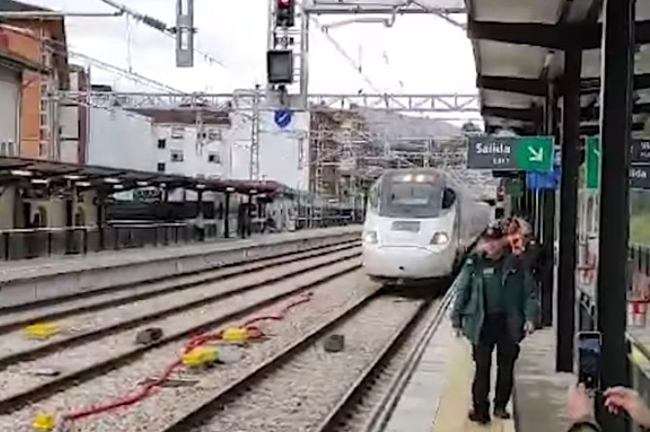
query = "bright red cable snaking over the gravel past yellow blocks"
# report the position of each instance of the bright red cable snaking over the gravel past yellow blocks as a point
(196, 341)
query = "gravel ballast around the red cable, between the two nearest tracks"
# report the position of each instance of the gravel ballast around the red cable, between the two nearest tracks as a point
(168, 403)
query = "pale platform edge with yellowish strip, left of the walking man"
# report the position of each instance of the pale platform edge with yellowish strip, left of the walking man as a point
(437, 397)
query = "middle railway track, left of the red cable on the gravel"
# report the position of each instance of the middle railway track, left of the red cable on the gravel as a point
(92, 353)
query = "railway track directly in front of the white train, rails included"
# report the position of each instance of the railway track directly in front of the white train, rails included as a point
(303, 388)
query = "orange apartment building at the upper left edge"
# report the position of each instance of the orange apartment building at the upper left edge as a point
(39, 47)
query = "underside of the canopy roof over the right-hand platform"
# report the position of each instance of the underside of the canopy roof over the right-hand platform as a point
(519, 48)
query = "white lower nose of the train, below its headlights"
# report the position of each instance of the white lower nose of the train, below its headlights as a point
(408, 261)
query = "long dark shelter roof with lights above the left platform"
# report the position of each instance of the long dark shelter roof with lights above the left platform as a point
(39, 173)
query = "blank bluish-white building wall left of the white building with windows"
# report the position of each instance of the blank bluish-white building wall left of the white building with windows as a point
(121, 139)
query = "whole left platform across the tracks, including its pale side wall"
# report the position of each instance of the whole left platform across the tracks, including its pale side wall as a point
(27, 281)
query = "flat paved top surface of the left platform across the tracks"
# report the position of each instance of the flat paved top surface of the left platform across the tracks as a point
(11, 270)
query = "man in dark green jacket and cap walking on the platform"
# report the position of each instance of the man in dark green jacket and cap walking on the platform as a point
(495, 306)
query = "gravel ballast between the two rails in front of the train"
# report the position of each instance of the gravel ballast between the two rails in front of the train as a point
(301, 393)
